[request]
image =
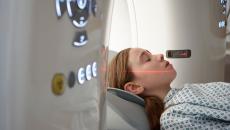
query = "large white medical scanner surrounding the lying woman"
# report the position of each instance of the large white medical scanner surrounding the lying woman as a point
(54, 56)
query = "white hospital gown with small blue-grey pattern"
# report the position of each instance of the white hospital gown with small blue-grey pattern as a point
(197, 107)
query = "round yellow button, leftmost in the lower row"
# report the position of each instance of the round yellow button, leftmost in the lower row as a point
(58, 84)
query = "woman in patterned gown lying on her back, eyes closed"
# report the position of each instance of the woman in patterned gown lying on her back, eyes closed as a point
(195, 106)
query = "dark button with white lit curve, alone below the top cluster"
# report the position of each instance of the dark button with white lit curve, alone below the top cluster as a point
(80, 39)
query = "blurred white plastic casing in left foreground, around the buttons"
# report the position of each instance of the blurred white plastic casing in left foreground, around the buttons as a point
(35, 45)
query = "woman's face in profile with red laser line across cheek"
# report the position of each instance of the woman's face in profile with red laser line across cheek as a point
(150, 70)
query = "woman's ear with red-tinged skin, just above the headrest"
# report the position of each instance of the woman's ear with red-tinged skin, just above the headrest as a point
(133, 88)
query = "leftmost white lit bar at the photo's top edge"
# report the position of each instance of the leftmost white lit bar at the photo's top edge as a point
(60, 7)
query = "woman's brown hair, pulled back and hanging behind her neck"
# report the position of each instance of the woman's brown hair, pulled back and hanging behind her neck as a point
(119, 75)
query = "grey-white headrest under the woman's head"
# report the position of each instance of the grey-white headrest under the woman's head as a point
(125, 111)
